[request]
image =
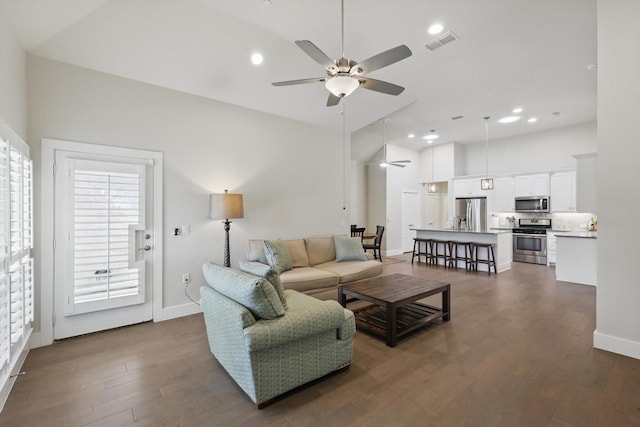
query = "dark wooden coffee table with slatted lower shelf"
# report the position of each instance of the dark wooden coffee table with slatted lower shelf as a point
(394, 310)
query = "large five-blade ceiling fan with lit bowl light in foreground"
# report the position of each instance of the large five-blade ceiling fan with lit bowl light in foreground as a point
(345, 75)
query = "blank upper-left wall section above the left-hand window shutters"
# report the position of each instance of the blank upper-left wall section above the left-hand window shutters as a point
(13, 79)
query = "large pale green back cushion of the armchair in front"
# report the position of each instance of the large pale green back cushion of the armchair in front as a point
(253, 292)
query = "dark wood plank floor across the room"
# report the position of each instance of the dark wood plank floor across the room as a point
(517, 352)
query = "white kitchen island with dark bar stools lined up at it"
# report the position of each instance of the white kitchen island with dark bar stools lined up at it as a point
(500, 239)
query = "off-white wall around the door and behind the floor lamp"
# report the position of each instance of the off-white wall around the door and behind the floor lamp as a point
(290, 173)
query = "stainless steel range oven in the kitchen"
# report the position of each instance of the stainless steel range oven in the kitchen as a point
(530, 240)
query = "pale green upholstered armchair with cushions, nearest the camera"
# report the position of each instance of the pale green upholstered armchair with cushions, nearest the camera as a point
(267, 349)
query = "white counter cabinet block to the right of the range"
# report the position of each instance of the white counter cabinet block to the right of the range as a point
(577, 257)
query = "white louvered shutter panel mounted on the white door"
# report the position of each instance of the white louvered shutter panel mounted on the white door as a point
(107, 202)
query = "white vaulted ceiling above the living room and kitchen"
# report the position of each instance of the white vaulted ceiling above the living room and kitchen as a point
(538, 55)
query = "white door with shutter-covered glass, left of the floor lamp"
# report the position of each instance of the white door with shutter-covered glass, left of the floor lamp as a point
(103, 242)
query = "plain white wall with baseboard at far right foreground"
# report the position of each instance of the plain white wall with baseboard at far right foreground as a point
(617, 305)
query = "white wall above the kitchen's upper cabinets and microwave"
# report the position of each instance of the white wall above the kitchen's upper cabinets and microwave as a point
(532, 152)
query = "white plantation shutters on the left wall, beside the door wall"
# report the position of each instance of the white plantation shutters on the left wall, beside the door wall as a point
(16, 241)
